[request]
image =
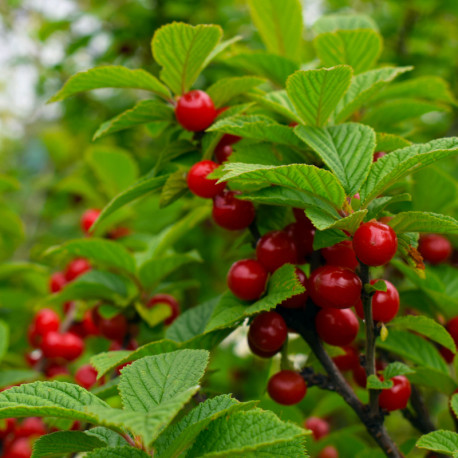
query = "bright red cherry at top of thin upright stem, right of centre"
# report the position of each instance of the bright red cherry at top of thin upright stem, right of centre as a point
(375, 243)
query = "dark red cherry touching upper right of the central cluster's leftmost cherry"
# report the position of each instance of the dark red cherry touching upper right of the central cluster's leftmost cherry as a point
(275, 249)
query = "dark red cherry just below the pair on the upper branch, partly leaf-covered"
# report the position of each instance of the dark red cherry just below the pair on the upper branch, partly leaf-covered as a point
(232, 213)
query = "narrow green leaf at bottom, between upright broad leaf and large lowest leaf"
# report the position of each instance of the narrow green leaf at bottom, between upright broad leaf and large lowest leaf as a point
(180, 436)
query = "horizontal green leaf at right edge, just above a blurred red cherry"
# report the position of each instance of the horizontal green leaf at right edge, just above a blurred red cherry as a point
(424, 222)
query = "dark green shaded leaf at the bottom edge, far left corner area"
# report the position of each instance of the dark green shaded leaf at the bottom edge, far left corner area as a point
(63, 442)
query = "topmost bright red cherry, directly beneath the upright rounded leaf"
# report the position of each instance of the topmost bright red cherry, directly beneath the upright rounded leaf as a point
(195, 111)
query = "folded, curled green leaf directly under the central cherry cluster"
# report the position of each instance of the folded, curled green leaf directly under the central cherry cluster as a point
(283, 284)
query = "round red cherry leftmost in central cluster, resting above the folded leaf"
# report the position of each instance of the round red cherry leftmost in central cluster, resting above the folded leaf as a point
(247, 279)
